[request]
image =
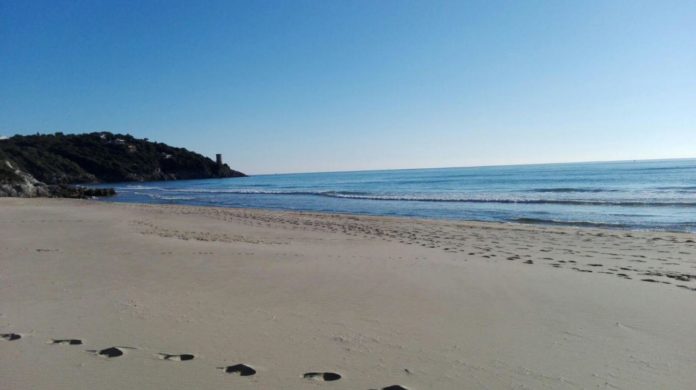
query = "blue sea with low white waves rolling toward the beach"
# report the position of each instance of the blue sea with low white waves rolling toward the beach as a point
(641, 195)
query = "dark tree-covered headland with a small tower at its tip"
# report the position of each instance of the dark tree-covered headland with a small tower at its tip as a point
(62, 159)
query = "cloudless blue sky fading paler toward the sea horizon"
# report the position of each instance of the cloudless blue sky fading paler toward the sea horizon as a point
(321, 85)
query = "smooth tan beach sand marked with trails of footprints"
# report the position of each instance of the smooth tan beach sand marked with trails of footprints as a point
(379, 301)
